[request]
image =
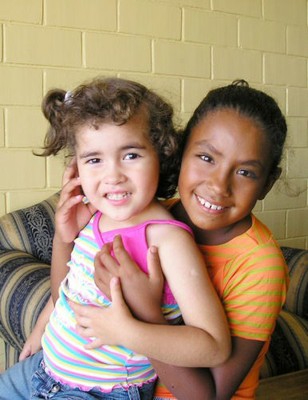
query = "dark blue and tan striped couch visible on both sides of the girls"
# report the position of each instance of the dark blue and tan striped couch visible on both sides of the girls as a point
(26, 239)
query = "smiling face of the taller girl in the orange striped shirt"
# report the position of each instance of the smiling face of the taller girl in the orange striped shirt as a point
(225, 170)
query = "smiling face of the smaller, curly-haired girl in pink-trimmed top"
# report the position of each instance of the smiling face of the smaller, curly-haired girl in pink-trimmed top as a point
(119, 168)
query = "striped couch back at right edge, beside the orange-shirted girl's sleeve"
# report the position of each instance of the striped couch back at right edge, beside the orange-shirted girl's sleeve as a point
(297, 296)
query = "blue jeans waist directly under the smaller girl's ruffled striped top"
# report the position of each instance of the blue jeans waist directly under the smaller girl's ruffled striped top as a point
(45, 387)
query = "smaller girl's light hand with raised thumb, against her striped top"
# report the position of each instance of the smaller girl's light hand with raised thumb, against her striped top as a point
(105, 325)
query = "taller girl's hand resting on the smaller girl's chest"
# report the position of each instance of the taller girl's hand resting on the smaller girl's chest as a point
(142, 293)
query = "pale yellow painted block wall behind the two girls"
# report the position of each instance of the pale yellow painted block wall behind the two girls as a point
(180, 48)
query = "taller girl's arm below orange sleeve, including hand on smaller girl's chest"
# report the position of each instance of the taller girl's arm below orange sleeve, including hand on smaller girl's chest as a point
(202, 383)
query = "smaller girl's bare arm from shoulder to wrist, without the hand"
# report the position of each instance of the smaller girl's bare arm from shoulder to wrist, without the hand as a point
(205, 333)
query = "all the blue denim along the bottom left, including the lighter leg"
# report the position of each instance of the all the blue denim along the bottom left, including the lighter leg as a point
(28, 380)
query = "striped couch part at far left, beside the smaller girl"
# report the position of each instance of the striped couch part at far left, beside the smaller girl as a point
(25, 252)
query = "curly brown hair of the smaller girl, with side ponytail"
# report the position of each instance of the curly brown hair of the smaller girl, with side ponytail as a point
(115, 101)
